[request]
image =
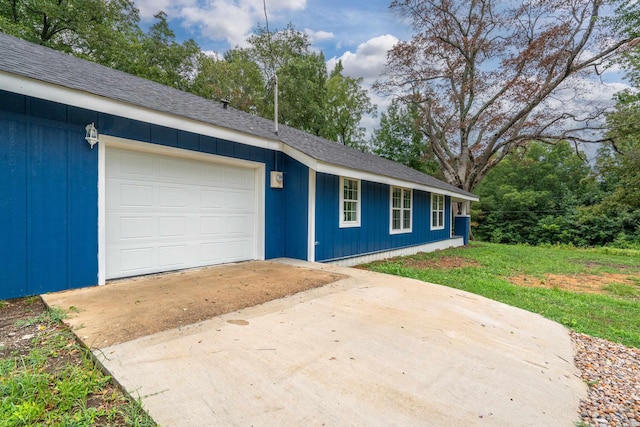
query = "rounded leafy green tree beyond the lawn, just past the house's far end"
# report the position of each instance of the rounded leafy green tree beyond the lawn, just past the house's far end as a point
(533, 196)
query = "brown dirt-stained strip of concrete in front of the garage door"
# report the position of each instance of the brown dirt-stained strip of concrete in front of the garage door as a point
(127, 309)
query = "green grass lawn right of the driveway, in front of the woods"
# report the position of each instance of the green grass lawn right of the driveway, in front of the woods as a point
(613, 313)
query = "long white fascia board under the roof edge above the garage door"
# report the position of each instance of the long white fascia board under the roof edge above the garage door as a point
(81, 99)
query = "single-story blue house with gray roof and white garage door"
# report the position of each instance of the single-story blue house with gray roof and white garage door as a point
(105, 175)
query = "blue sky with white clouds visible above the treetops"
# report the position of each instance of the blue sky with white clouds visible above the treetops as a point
(358, 32)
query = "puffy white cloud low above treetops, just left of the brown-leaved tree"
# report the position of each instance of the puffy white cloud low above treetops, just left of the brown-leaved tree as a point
(369, 59)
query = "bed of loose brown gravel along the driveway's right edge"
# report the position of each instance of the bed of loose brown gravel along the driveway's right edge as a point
(612, 373)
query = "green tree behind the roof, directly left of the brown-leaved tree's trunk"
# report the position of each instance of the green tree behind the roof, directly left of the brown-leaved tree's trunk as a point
(399, 138)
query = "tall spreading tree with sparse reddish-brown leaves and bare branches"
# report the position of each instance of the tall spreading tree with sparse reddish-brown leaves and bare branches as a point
(483, 73)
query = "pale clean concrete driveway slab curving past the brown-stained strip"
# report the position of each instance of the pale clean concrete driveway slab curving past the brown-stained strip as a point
(370, 349)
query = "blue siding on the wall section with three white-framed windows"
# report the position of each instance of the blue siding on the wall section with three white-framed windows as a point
(373, 235)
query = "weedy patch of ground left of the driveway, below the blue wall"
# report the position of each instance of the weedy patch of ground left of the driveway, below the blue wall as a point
(48, 378)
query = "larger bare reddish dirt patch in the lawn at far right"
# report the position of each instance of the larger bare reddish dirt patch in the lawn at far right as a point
(584, 283)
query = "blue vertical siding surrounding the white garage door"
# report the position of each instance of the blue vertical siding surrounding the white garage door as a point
(49, 192)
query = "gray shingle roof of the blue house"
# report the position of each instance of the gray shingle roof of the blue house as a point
(40, 63)
